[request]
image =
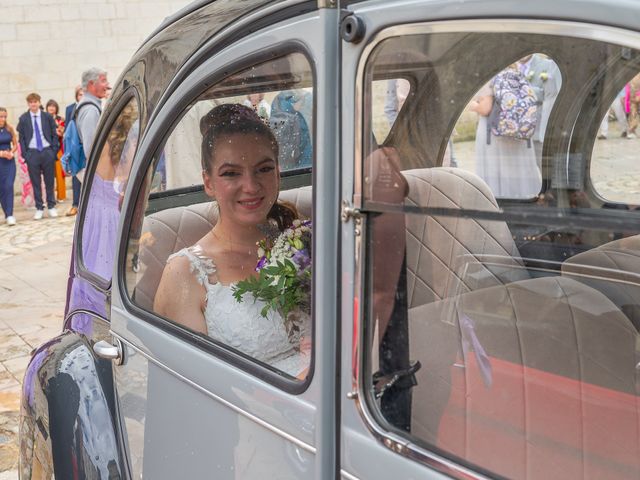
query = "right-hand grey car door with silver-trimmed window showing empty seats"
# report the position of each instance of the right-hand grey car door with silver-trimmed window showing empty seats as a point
(484, 341)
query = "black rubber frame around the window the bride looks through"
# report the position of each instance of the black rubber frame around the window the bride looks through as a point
(162, 124)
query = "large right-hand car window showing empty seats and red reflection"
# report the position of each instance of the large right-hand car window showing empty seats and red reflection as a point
(502, 314)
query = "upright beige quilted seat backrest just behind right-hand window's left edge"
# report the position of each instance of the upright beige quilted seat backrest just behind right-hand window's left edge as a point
(449, 255)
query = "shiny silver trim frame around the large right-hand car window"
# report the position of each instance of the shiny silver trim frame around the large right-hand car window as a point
(390, 437)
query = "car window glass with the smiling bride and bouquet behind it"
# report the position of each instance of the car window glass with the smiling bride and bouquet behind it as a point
(223, 248)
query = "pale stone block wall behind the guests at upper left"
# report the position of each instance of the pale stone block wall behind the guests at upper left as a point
(46, 44)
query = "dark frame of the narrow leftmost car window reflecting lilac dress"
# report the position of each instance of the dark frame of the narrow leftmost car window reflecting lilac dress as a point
(102, 132)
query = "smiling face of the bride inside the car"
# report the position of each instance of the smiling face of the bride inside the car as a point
(244, 178)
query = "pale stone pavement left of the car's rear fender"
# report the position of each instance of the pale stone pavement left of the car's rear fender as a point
(34, 264)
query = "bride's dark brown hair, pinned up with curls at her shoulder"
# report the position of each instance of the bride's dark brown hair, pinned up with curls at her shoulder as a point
(233, 118)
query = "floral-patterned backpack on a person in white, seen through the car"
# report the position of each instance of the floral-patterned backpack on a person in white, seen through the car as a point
(514, 111)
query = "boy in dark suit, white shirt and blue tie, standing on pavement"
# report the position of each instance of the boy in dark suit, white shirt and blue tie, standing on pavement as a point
(39, 144)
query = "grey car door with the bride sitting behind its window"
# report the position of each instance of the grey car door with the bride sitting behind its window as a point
(191, 406)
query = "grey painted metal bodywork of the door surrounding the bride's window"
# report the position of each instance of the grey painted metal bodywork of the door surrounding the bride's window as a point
(251, 412)
